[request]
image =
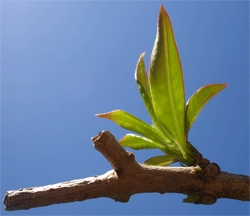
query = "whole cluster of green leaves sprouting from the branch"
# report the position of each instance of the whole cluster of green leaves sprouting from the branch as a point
(163, 94)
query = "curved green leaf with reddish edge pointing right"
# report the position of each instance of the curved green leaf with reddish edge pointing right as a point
(198, 100)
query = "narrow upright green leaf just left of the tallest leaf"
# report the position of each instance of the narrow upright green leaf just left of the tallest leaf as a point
(143, 86)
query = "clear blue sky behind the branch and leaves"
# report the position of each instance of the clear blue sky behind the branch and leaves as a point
(62, 62)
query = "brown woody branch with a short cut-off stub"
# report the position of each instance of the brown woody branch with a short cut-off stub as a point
(129, 177)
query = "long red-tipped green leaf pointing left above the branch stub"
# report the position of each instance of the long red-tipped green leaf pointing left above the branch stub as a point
(132, 123)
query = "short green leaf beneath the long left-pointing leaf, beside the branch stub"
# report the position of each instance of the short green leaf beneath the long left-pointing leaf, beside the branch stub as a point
(137, 142)
